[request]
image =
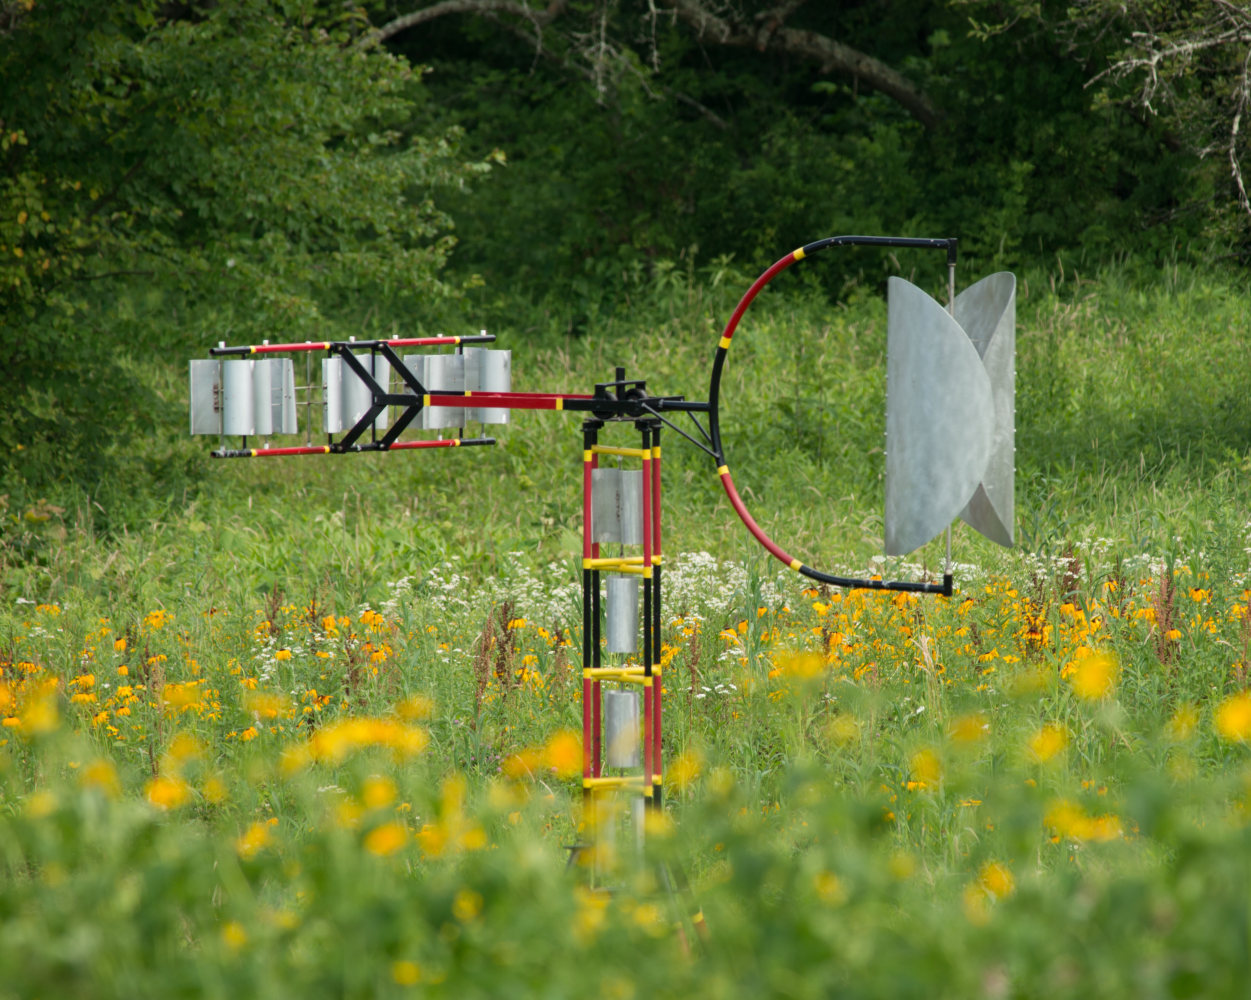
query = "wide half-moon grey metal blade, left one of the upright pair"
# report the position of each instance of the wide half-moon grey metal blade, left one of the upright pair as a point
(940, 416)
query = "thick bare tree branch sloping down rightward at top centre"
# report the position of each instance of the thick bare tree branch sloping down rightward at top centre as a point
(830, 54)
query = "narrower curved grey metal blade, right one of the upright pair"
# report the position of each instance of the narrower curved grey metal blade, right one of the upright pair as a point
(988, 312)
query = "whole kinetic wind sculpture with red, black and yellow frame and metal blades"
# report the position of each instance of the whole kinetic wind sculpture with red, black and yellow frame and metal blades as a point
(950, 454)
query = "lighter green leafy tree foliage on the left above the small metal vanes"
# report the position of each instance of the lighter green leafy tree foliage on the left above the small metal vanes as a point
(241, 173)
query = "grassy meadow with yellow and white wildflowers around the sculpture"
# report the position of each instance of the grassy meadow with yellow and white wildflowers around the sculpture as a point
(312, 728)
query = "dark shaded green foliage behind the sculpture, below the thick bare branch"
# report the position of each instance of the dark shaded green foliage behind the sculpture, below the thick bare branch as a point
(677, 151)
